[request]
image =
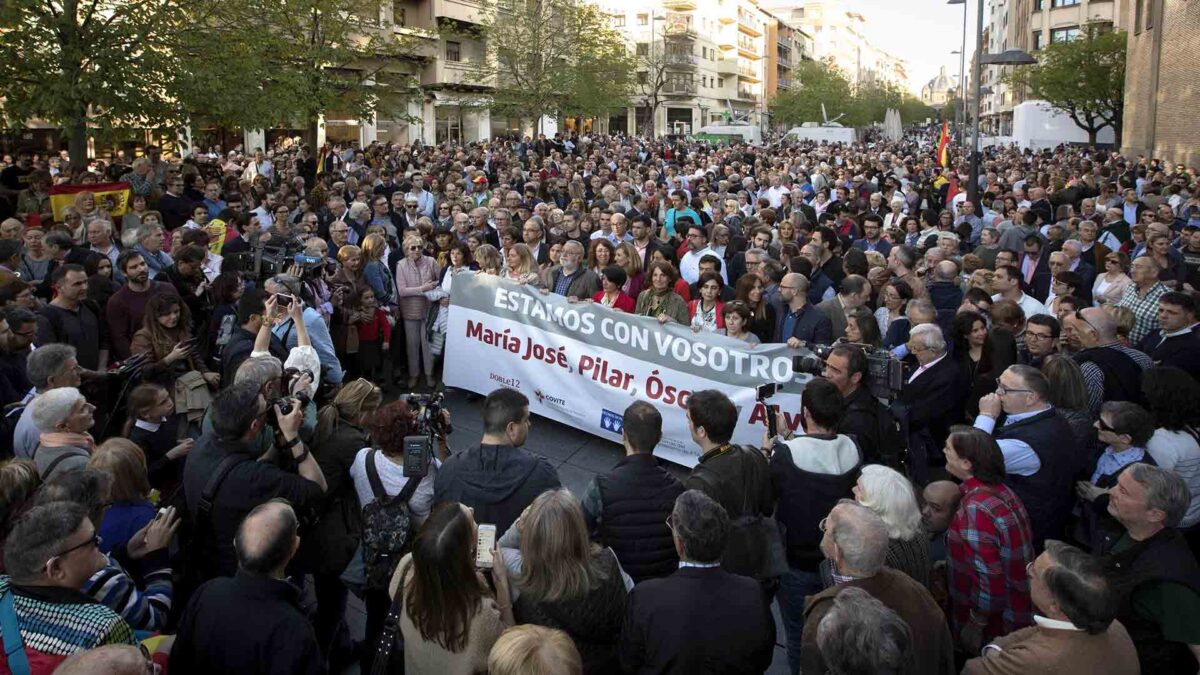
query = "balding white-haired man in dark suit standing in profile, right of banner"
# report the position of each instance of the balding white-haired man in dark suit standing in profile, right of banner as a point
(932, 399)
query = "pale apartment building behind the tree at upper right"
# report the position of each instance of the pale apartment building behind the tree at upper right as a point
(1029, 26)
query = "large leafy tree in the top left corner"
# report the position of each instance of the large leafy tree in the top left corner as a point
(89, 64)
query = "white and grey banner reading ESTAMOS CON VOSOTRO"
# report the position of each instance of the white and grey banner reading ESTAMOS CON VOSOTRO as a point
(584, 365)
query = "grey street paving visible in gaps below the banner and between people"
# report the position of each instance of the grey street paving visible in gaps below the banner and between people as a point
(578, 457)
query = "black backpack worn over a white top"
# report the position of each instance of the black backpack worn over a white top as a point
(387, 527)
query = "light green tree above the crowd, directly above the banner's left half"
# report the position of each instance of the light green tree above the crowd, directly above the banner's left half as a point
(554, 57)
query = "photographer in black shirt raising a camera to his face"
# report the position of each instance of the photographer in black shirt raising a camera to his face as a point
(225, 469)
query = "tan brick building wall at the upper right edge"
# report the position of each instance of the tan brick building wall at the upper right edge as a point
(1160, 110)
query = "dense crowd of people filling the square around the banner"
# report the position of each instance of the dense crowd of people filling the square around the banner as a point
(205, 456)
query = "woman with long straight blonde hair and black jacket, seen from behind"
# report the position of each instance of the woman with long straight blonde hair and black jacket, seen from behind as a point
(561, 580)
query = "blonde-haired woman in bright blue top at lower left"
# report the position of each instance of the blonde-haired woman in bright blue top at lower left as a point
(131, 509)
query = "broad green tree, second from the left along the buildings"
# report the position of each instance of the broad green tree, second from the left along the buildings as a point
(307, 58)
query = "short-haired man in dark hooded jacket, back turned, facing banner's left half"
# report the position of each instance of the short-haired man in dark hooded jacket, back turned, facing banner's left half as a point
(497, 479)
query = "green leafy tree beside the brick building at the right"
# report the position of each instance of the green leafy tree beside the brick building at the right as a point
(1083, 79)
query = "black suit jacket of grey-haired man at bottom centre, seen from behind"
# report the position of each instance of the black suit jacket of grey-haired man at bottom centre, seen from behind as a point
(699, 622)
